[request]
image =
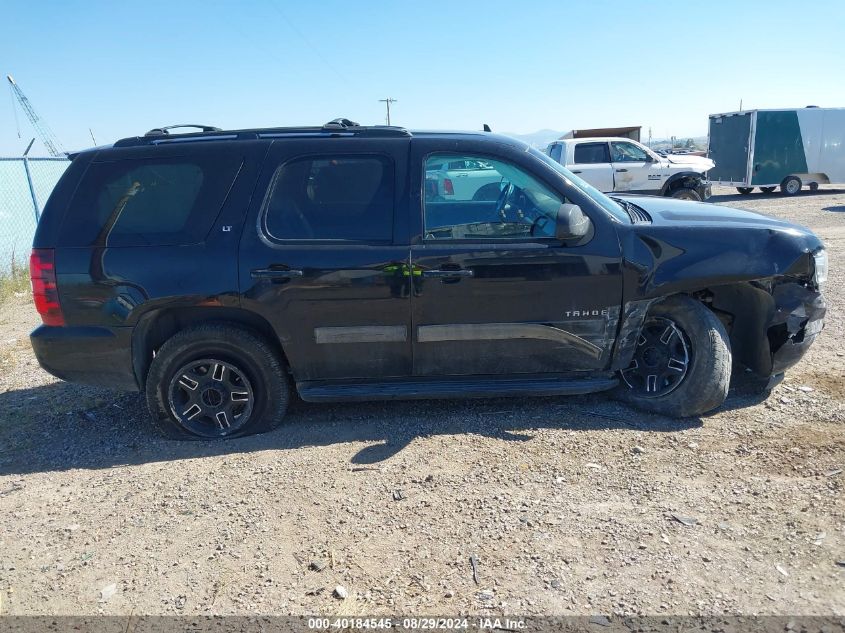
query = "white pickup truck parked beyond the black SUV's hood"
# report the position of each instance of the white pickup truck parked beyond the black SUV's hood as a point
(620, 164)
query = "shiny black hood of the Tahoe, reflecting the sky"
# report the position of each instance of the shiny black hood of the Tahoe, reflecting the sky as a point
(669, 212)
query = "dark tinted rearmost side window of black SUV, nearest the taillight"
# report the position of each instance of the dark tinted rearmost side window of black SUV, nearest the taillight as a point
(149, 202)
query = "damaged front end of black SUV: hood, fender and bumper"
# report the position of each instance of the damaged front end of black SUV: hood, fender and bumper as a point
(756, 273)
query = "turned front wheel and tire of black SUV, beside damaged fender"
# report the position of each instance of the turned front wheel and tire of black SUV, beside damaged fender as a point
(697, 341)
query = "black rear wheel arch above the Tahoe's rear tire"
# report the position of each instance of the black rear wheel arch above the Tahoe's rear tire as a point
(156, 326)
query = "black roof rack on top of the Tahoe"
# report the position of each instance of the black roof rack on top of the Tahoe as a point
(336, 128)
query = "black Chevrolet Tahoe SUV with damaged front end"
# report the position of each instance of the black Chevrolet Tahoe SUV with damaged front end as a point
(215, 269)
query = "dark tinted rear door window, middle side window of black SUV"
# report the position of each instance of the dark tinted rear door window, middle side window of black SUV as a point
(332, 198)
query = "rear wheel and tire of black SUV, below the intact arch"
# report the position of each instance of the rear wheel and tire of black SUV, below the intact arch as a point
(205, 379)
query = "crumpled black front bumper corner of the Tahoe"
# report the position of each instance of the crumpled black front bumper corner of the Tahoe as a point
(797, 321)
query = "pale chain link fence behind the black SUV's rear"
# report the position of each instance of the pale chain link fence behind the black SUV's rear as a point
(25, 185)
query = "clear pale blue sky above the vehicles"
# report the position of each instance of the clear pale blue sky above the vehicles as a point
(123, 68)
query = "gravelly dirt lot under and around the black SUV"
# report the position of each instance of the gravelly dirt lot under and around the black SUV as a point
(569, 506)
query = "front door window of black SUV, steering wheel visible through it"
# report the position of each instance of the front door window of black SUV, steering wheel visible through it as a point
(494, 200)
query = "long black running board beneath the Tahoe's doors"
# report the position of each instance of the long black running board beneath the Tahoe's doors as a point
(417, 389)
